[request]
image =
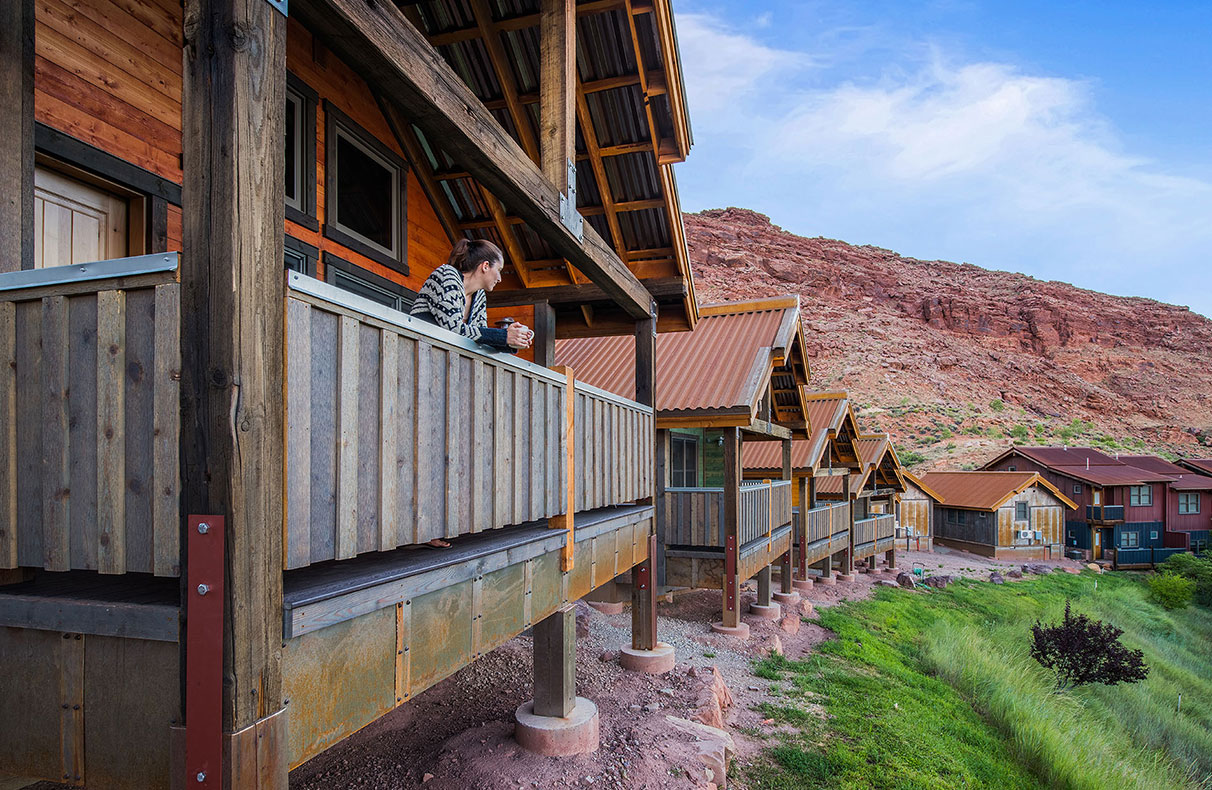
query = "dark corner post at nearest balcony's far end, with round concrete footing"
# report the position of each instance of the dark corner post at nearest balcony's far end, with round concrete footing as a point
(647, 655)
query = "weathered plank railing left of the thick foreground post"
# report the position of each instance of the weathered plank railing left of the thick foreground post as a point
(90, 367)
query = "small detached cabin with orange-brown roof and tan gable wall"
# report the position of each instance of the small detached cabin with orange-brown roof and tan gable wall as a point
(1007, 516)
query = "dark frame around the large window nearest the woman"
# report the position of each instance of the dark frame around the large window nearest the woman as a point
(339, 125)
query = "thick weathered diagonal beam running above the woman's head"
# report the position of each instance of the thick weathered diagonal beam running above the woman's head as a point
(380, 44)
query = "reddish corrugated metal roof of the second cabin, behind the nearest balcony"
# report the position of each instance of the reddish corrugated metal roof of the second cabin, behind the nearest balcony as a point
(710, 369)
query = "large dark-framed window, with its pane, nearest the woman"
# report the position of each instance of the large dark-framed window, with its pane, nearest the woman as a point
(365, 193)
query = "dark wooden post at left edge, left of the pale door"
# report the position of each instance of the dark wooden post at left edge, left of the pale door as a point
(18, 131)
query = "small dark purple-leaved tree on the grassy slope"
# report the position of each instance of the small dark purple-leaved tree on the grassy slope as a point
(1083, 651)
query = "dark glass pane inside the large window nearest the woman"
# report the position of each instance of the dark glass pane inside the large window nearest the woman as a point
(365, 196)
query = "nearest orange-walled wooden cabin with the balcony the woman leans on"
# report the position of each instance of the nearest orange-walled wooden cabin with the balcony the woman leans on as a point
(222, 438)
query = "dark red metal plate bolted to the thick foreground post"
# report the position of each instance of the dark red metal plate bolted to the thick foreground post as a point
(204, 655)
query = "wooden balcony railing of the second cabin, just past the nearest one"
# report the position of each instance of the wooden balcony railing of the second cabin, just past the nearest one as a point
(695, 517)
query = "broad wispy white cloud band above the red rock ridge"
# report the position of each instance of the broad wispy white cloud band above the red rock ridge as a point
(937, 158)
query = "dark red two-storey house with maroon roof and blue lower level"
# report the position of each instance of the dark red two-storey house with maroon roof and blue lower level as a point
(1120, 506)
